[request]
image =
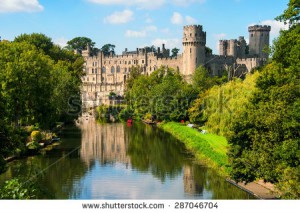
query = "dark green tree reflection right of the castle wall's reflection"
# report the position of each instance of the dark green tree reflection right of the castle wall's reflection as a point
(150, 149)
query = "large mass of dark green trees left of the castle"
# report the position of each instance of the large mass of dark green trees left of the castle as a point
(37, 80)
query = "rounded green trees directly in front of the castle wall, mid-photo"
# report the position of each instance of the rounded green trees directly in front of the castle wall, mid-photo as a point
(164, 93)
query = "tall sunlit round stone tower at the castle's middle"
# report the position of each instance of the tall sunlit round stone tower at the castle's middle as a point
(194, 40)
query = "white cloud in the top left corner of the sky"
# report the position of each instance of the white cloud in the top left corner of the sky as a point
(10, 6)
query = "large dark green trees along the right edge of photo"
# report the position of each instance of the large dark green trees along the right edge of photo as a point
(265, 139)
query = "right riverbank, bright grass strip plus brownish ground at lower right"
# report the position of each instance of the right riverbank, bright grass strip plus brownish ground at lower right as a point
(210, 150)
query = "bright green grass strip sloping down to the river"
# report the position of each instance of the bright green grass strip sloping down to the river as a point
(208, 148)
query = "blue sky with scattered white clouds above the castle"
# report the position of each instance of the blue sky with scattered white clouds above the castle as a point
(137, 23)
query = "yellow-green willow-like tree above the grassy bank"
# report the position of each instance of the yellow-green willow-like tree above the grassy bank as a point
(220, 105)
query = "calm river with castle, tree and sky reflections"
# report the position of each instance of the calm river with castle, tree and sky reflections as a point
(116, 161)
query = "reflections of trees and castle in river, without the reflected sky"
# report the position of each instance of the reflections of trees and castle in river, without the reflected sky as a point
(147, 149)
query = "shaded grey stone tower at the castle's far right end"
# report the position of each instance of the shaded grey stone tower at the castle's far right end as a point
(259, 39)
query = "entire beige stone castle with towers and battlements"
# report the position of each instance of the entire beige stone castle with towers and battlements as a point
(106, 74)
